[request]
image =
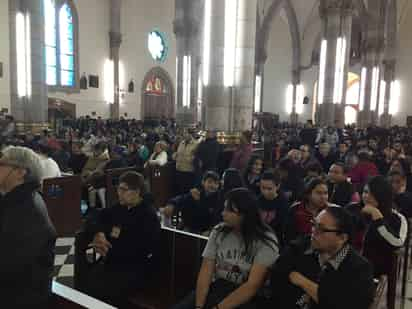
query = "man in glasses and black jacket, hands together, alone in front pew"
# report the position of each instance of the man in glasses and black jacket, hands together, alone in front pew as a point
(127, 237)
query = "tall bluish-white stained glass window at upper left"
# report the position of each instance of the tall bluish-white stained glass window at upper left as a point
(60, 44)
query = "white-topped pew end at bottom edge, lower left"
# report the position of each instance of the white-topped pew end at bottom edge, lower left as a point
(64, 297)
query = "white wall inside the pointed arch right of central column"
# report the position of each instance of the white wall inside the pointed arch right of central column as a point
(278, 69)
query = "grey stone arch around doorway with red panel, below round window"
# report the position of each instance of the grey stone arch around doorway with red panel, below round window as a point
(169, 96)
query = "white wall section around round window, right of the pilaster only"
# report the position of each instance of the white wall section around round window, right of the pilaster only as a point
(138, 19)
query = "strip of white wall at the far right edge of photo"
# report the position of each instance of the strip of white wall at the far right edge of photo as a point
(404, 69)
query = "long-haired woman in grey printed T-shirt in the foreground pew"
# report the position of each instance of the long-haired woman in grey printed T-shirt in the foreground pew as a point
(238, 256)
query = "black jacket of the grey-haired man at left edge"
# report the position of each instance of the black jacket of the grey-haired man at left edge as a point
(27, 240)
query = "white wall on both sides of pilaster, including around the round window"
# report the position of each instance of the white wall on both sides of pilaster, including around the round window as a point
(138, 18)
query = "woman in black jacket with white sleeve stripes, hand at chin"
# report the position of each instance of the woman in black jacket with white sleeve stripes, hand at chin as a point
(380, 228)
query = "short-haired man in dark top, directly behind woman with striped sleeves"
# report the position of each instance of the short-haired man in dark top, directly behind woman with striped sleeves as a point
(340, 190)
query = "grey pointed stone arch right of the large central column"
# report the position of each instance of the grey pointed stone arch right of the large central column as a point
(266, 27)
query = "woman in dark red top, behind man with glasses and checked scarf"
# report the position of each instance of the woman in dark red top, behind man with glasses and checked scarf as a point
(301, 214)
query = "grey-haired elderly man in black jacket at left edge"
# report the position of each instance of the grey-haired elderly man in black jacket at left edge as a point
(27, 236)
